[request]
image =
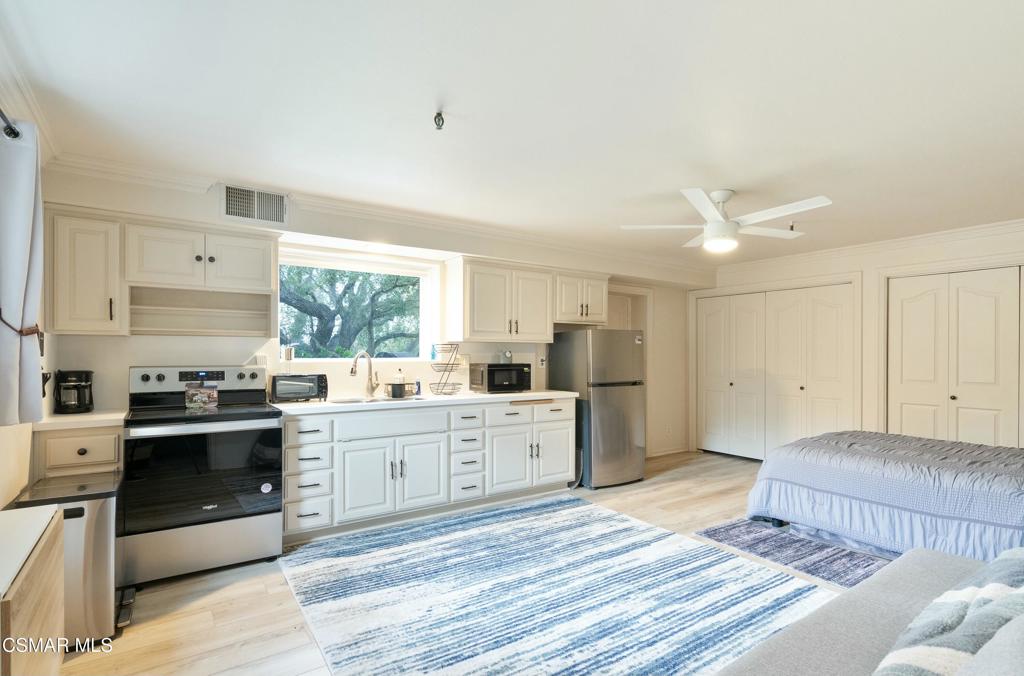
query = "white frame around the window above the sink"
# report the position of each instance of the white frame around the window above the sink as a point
(430, 273)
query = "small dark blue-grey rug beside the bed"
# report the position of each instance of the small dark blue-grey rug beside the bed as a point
(831, 563)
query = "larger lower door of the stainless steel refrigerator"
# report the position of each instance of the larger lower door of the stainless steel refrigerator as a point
(618, 436)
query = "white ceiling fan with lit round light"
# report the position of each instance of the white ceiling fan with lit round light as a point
(720, 231)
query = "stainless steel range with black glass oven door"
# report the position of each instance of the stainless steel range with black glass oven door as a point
(202, 489)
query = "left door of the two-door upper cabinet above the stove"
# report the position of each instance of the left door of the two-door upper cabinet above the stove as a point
(165, 256)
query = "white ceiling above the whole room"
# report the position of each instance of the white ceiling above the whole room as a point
(565, 119)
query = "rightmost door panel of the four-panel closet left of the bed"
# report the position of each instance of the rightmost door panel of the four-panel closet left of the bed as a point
(829, 379)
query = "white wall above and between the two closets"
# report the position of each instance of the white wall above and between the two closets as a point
(970, 248)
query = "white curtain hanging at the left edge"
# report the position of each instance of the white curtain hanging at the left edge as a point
(21, 277)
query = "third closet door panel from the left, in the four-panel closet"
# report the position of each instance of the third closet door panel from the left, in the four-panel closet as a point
(785, 350)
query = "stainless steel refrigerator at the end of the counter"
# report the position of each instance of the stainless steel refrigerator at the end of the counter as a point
(607, 367)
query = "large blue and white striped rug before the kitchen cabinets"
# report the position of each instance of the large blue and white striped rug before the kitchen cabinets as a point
(552, 585)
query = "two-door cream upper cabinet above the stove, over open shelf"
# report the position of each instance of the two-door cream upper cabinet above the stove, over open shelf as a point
(187, 259)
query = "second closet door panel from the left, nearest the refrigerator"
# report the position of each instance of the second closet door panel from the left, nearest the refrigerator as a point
(747, 314)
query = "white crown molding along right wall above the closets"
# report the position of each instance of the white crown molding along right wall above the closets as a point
(952, 236)
